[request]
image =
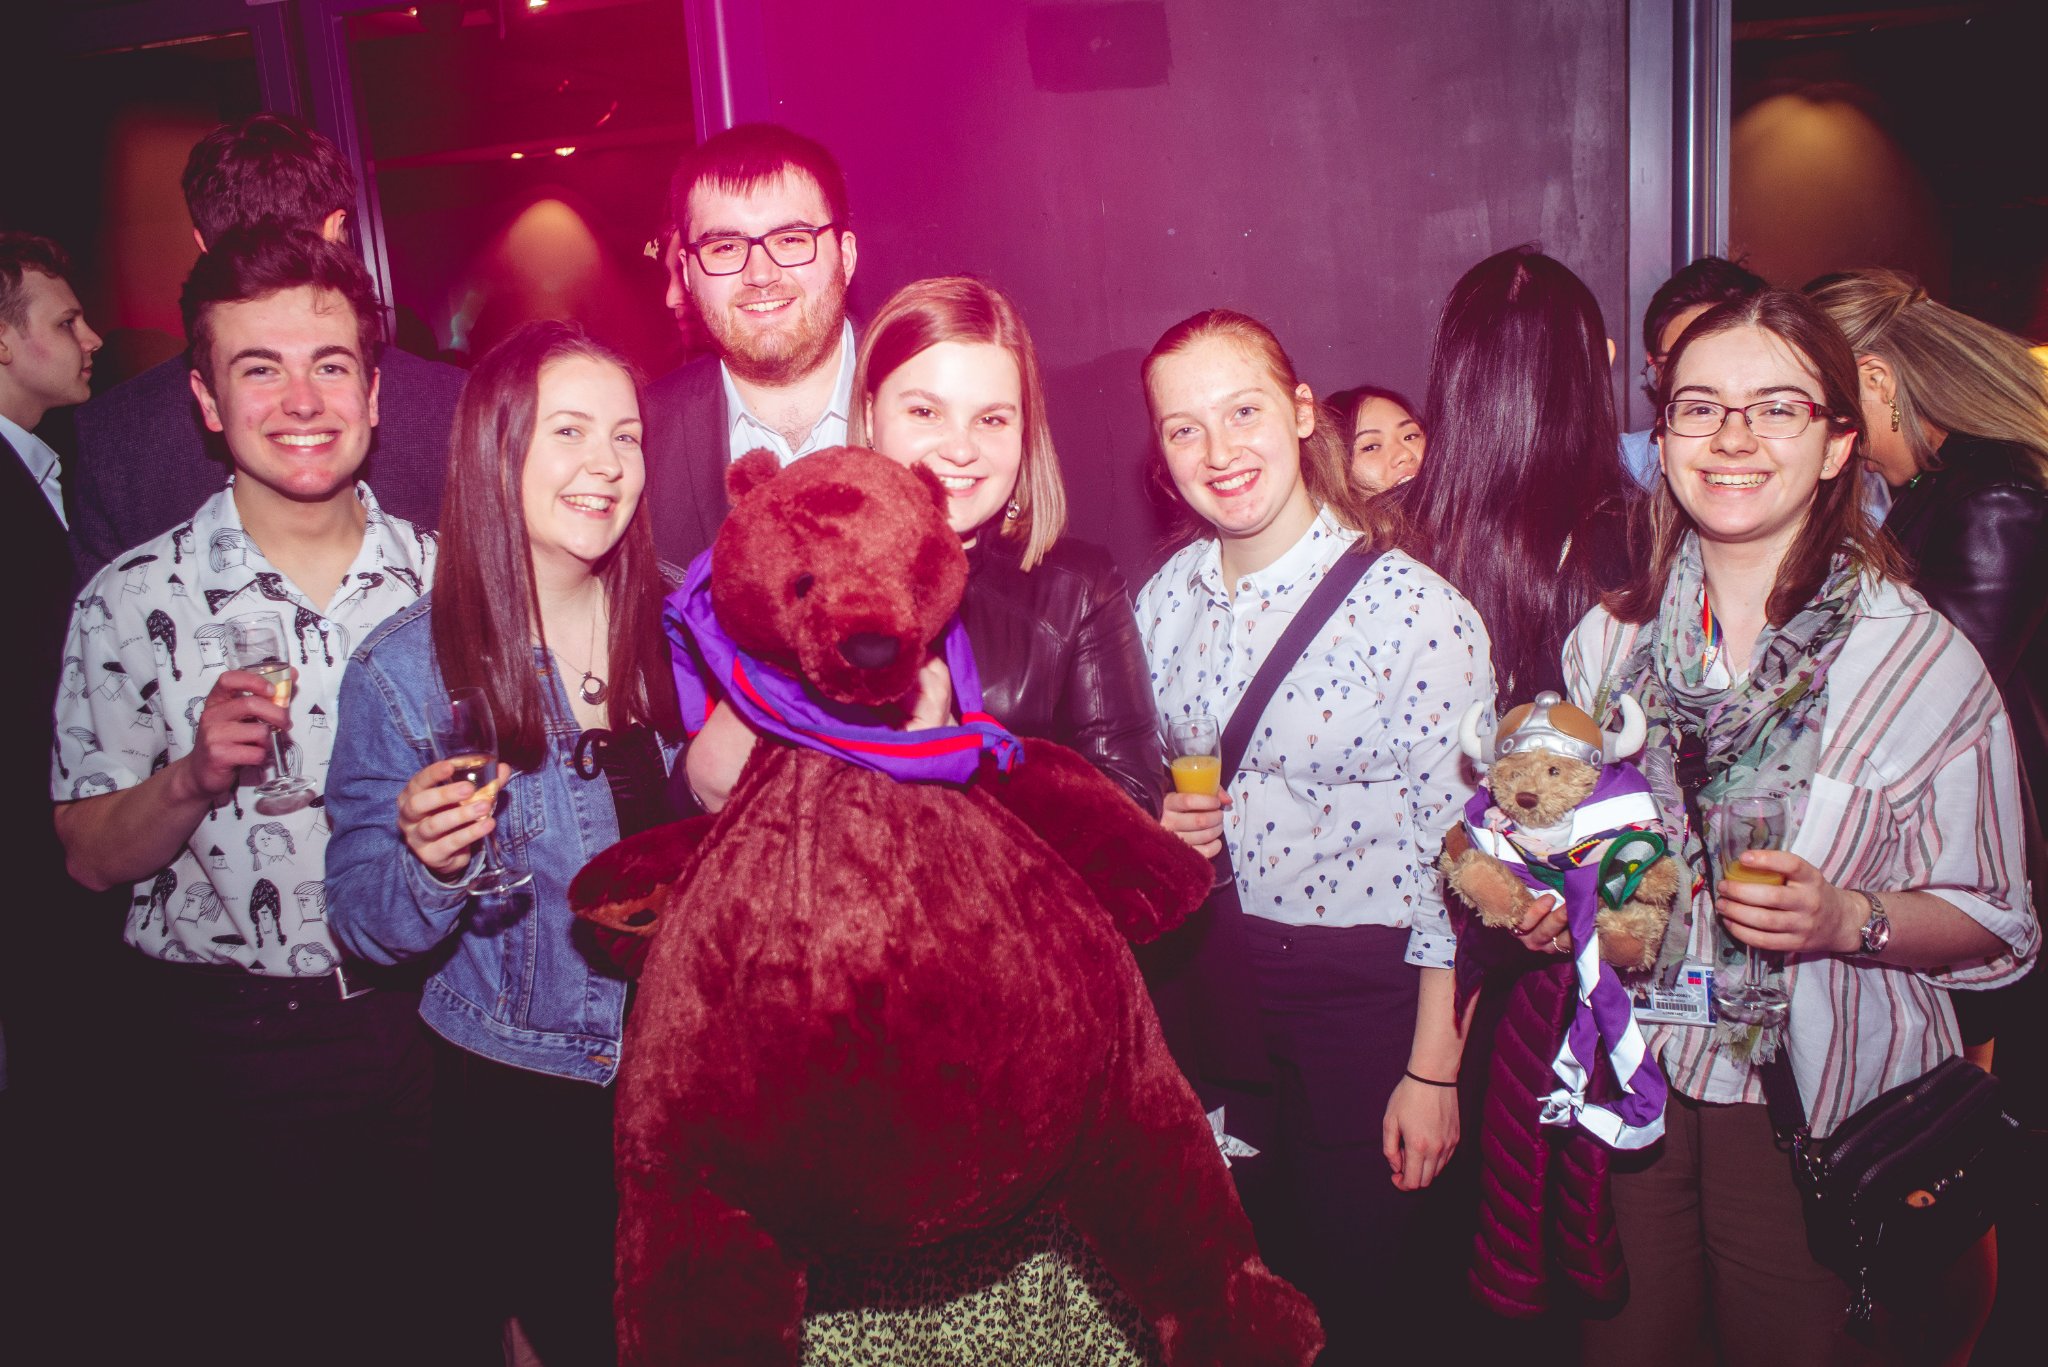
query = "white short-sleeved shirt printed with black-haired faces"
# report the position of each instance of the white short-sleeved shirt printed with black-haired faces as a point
(148, 640)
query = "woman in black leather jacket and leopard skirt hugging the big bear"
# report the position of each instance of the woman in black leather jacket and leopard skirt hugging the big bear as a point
(947, 378)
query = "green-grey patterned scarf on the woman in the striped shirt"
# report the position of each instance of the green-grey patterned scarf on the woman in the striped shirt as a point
(1762, 729)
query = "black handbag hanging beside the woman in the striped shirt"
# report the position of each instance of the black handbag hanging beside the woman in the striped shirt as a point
(1906, 1186)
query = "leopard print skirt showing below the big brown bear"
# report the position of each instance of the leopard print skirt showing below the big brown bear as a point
(1029, 1294)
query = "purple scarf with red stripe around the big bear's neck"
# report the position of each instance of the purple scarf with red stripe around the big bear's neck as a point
(783, 706)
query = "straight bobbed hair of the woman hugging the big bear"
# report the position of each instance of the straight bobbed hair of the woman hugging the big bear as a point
(959, 308)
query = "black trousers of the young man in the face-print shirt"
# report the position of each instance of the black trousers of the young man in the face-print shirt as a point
(271, 1175)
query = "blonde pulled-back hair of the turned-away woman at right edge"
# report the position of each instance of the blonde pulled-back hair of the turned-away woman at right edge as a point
(1955, 372)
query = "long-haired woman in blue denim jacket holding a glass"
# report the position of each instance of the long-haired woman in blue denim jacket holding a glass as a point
(548, 602)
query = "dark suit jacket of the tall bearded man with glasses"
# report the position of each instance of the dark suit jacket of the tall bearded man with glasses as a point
(687, 458)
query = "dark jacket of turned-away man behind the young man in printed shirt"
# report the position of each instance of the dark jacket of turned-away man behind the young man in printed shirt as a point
(146, 458)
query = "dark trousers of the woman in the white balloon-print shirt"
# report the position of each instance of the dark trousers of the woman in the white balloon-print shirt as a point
(1338, 1016)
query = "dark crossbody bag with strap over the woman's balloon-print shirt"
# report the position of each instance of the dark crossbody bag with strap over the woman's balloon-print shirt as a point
(1199, 975)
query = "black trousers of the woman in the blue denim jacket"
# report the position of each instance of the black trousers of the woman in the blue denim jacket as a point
(525, 1184)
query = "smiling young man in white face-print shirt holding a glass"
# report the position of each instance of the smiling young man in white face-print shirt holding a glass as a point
(278, 1108)
